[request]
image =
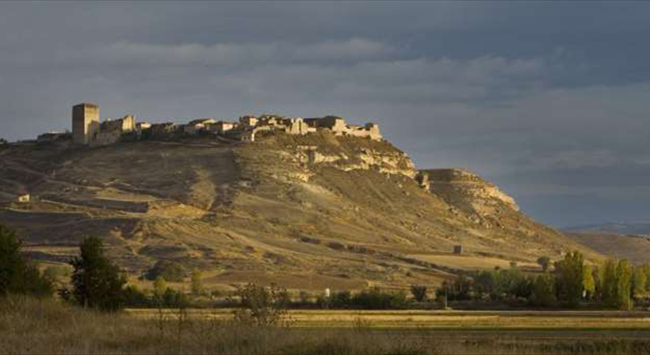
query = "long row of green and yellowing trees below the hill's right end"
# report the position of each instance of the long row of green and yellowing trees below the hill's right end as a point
(571, 284)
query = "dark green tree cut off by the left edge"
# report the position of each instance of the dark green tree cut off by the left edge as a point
(17, 274)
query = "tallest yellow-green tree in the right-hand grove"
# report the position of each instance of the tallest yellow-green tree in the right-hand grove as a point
(570, 278)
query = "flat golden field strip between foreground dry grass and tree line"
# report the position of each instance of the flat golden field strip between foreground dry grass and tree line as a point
(443, 320)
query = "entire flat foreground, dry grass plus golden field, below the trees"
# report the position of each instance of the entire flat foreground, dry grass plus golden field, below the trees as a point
(30, 326)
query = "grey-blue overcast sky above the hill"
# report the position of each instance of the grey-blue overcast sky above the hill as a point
(550, 100)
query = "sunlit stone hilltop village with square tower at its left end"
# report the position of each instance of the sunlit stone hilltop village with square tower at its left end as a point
(88, 130)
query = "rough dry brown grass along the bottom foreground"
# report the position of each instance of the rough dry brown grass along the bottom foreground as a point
(46, 327)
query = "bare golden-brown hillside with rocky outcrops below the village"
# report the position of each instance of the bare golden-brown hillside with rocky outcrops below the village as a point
(305, 212)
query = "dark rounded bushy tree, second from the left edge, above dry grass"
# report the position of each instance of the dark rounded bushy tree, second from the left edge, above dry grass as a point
(97, 282)
